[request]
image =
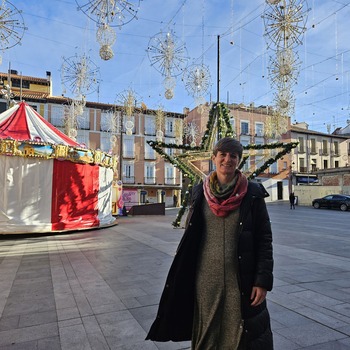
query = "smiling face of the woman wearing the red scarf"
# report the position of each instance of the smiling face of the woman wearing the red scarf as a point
(226, 164)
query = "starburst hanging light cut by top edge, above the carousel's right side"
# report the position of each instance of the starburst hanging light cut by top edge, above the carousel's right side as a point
(107, 14)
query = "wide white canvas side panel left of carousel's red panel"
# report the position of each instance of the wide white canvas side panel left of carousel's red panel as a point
(25, 194)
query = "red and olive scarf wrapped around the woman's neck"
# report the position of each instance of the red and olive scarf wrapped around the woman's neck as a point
(225, 198)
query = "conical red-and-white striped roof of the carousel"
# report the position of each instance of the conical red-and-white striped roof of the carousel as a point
(21, 122)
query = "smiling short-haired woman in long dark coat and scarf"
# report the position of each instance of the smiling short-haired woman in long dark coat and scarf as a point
(216, 287)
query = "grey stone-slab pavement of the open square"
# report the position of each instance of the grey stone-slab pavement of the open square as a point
(99, 289)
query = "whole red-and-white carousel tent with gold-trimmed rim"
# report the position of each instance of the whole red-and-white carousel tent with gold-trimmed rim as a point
(48, 182)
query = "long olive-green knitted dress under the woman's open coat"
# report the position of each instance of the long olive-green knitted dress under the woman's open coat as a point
(217, 315)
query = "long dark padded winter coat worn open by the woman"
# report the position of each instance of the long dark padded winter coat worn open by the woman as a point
(175, 313)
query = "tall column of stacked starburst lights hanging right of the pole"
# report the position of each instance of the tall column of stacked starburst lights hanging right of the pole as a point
(285, 23)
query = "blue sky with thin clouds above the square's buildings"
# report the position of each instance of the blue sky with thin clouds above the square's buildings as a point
(226, 37)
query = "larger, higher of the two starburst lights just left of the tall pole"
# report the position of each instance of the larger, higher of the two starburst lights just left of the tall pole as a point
(168, 55)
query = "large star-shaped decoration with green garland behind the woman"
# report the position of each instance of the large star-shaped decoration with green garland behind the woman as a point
(218, 126)
